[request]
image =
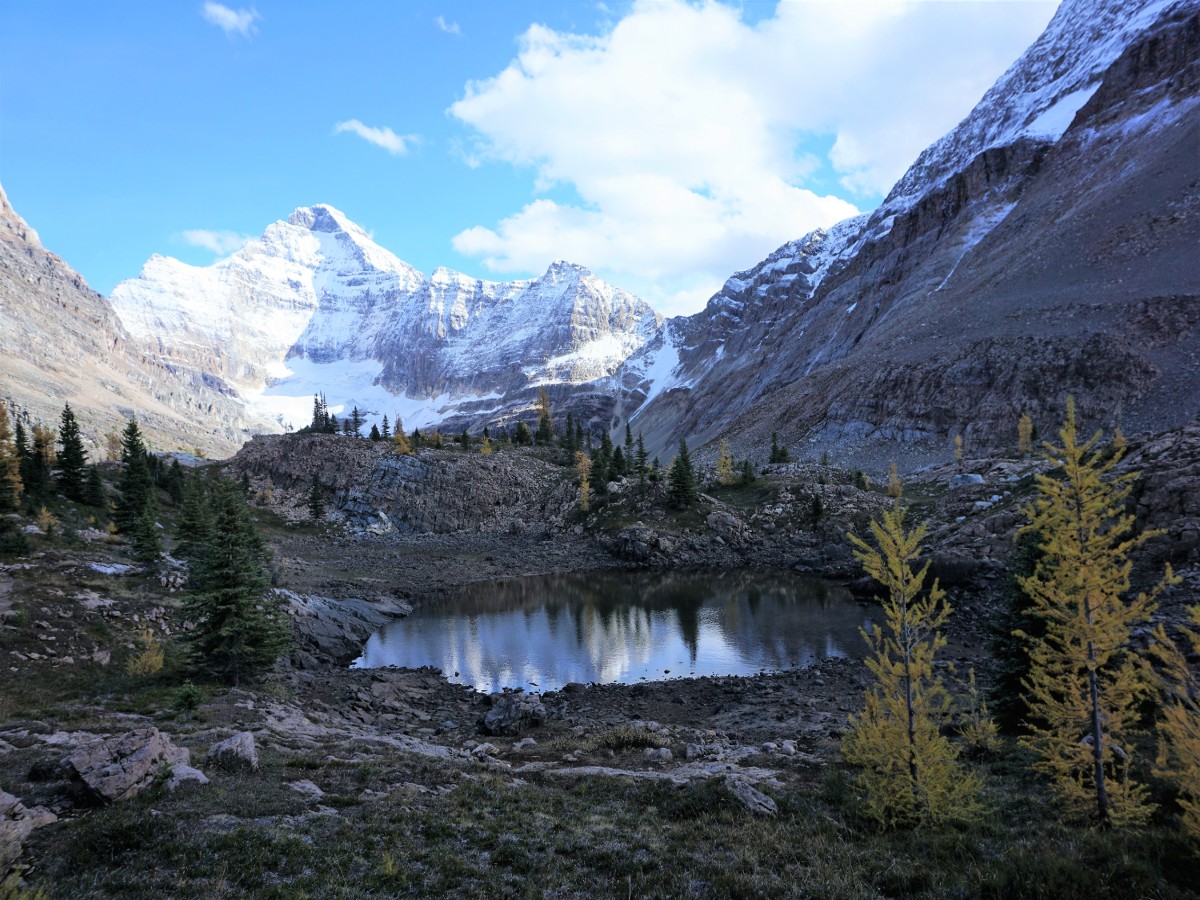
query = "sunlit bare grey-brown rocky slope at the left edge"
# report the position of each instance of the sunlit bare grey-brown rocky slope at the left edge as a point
(51, 321)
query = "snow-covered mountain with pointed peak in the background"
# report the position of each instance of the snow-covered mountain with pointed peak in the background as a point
(316, 305)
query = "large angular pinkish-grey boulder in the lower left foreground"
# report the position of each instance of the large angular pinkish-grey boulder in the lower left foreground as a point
(115, 769)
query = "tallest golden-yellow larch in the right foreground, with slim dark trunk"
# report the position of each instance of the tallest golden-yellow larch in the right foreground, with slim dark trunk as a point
(1085, 685)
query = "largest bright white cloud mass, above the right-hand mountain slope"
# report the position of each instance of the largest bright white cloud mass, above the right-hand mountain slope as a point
(695, 141)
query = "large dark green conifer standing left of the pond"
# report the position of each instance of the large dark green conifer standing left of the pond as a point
(238, 631)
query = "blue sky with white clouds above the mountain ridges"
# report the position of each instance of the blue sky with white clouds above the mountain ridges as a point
(663, 145)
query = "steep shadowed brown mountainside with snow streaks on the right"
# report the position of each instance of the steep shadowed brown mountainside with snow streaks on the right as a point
(1047, 247)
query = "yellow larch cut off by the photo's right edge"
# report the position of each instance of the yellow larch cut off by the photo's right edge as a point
(1179, 757)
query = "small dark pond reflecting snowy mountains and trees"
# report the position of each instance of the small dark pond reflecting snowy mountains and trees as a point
(542, 633)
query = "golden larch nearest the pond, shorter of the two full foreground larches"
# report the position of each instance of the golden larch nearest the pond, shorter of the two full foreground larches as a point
(910, 771)
